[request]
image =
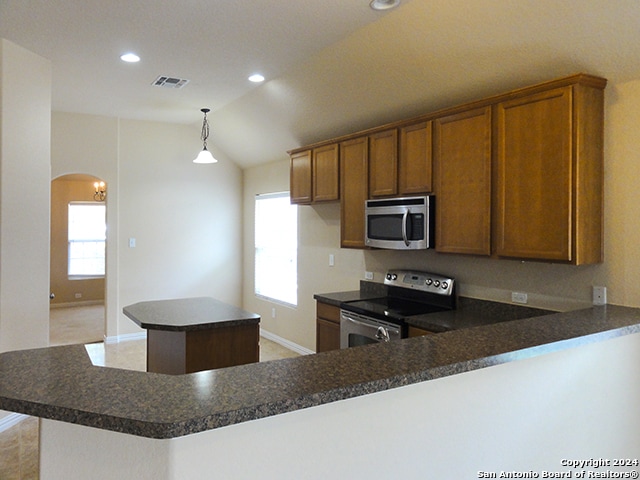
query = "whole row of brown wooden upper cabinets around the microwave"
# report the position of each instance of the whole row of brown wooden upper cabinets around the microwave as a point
(516, 175)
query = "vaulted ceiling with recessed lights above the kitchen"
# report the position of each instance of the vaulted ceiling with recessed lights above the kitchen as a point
(332, 66)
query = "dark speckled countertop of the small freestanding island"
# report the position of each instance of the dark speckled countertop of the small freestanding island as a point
(185, 314)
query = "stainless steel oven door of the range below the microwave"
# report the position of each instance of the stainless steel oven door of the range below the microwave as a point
(356, 329)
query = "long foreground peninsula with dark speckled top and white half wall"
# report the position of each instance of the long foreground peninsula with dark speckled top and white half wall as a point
(530, 381)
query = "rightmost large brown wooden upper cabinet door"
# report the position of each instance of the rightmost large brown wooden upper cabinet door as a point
(534, 176)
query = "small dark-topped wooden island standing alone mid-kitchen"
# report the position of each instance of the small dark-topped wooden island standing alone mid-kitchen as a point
(189, 335)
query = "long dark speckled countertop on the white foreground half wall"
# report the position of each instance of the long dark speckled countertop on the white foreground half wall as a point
(61, 383)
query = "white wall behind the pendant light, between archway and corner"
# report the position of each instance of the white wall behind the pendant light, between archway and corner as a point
(185, 217)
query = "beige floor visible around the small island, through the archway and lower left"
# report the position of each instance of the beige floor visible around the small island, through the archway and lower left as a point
(19, 445)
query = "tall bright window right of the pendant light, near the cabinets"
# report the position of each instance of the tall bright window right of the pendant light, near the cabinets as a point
(276, 256)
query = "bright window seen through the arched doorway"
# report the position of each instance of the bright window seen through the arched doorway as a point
(87, 237)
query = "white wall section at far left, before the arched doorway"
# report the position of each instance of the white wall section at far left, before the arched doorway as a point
(25, 132)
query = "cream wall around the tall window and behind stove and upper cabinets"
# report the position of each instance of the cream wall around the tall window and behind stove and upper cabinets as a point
(559, 287)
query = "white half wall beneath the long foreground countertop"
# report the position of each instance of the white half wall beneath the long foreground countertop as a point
(526, 415)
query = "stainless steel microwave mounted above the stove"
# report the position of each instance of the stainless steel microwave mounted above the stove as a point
(400, 223)
